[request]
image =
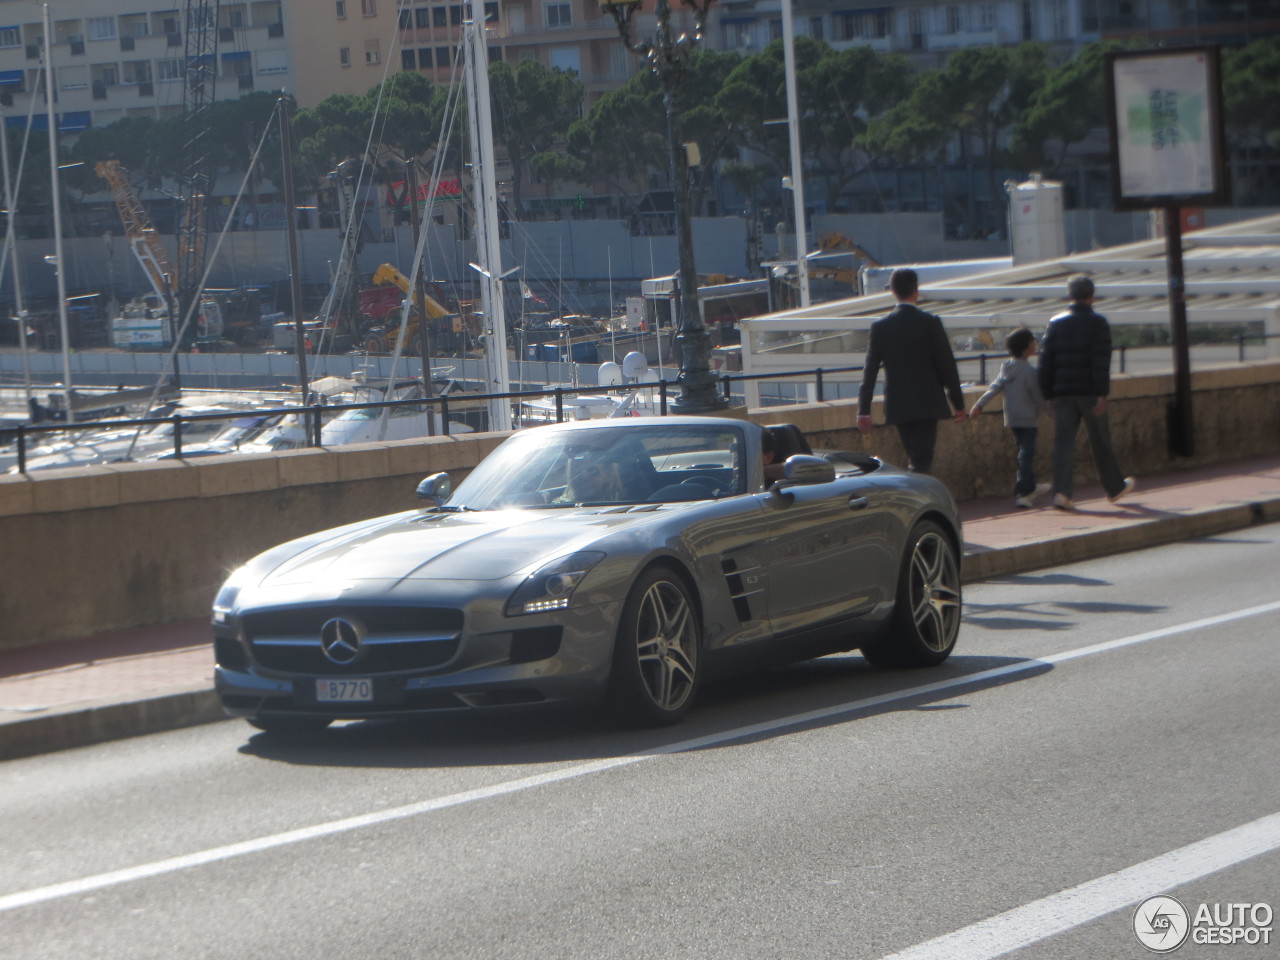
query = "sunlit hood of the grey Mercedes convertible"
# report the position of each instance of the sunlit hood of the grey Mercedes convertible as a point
(483, 546)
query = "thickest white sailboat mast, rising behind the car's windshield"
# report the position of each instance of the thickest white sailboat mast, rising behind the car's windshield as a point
(488, 236)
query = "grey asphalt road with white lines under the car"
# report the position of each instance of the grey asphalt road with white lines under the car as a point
(1105, 733)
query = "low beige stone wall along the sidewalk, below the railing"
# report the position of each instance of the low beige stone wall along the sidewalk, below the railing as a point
(100, 548)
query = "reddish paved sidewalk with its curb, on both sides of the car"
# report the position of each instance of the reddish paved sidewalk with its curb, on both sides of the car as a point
(161, 678)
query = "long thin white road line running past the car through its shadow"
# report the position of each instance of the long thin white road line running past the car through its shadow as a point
(56, 892)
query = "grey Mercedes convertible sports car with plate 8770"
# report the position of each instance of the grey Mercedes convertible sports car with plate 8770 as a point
(616, 561)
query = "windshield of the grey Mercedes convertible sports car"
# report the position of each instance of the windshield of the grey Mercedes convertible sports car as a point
(625, 464)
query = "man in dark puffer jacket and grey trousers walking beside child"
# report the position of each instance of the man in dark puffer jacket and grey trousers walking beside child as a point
(1076, 378)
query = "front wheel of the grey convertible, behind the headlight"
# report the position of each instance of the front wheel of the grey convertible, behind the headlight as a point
(657, 655)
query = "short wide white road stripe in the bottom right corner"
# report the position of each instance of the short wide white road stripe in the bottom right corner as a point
(1041, 920)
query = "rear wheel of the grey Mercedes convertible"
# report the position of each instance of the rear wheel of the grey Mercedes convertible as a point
(926, 620)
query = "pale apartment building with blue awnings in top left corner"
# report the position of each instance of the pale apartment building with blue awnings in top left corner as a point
(113, 61)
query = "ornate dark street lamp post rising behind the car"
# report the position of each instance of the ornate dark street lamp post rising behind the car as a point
(668, 57)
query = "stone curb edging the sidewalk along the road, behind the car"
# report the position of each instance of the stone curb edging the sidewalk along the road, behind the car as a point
(102, 721)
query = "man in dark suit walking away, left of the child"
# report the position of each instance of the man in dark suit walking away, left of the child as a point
(920, 374)
